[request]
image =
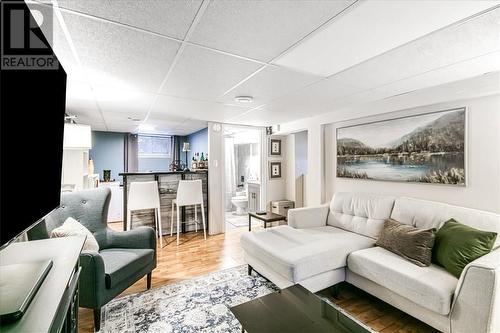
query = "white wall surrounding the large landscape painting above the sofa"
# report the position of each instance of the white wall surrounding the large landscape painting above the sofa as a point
(479, 95)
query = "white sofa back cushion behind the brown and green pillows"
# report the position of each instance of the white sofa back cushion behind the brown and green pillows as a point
(430, 214)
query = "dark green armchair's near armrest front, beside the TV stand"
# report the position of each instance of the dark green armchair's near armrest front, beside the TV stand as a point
(92, 281)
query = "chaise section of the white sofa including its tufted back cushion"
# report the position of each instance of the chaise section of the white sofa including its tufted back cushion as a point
(313, 248)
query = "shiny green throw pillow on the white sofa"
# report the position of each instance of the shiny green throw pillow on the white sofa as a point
(456, 245)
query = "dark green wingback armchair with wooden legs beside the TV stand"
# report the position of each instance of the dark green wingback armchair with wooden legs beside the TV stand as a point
(123, 258)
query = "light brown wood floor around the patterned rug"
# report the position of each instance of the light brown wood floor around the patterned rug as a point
(196, 257)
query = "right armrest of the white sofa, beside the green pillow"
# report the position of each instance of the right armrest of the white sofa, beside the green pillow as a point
(476, 307)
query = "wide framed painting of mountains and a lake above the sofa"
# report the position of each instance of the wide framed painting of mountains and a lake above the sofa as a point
(427, 148)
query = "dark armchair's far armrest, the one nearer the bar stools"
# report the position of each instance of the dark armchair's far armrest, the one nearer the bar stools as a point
(138, 238)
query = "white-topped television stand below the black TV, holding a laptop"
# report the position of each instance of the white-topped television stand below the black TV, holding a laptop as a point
(54, 306)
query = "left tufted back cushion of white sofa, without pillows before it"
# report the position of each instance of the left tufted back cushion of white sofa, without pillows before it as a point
(361, 213)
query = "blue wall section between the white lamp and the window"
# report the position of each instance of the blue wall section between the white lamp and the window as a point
(107, 153)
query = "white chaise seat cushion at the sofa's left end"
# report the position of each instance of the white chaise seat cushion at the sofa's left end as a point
(298, 254)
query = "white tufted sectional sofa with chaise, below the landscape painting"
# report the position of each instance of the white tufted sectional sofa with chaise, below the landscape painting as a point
(322, 246)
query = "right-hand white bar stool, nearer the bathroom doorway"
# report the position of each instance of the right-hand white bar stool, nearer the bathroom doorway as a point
(189, 193)
